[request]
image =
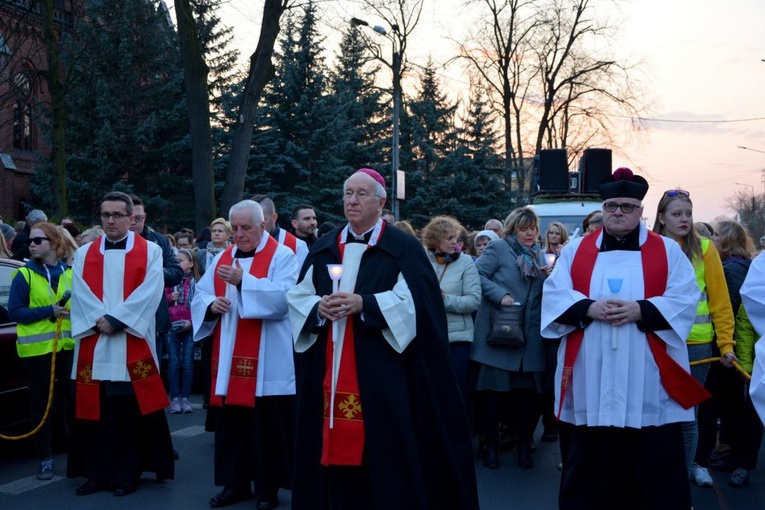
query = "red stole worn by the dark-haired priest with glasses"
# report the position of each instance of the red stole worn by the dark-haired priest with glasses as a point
(142, 367)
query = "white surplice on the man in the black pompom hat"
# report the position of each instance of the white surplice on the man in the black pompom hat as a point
(620, 387)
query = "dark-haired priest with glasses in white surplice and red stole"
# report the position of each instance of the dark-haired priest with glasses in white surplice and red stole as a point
(120, 427)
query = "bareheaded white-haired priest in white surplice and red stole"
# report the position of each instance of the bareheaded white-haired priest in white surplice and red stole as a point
(242, 303)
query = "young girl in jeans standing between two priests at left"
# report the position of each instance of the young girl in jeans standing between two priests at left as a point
(180, 343)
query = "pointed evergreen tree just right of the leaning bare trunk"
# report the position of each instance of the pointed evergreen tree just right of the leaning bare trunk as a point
(293, 157)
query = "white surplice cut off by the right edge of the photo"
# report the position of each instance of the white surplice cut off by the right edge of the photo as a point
(753, 298)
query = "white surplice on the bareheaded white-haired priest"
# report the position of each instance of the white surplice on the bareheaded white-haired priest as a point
(260, 298)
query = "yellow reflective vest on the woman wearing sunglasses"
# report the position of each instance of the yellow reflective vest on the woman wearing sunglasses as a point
(36, 339)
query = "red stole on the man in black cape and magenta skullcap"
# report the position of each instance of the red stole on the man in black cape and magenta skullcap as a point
(343, 444)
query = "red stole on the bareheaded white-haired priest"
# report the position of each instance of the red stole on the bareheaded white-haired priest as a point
(244, 361)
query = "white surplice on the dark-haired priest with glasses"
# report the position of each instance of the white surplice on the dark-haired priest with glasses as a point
(137, 312)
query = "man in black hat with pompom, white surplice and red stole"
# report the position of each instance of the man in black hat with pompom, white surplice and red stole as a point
(624, 299)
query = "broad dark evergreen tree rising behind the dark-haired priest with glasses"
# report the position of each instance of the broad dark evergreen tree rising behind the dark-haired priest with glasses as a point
(128, 126)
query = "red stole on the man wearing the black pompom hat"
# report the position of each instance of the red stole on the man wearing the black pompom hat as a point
(677, 382)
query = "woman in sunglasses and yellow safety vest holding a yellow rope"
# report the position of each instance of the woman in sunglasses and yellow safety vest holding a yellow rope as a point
(38, 304)
